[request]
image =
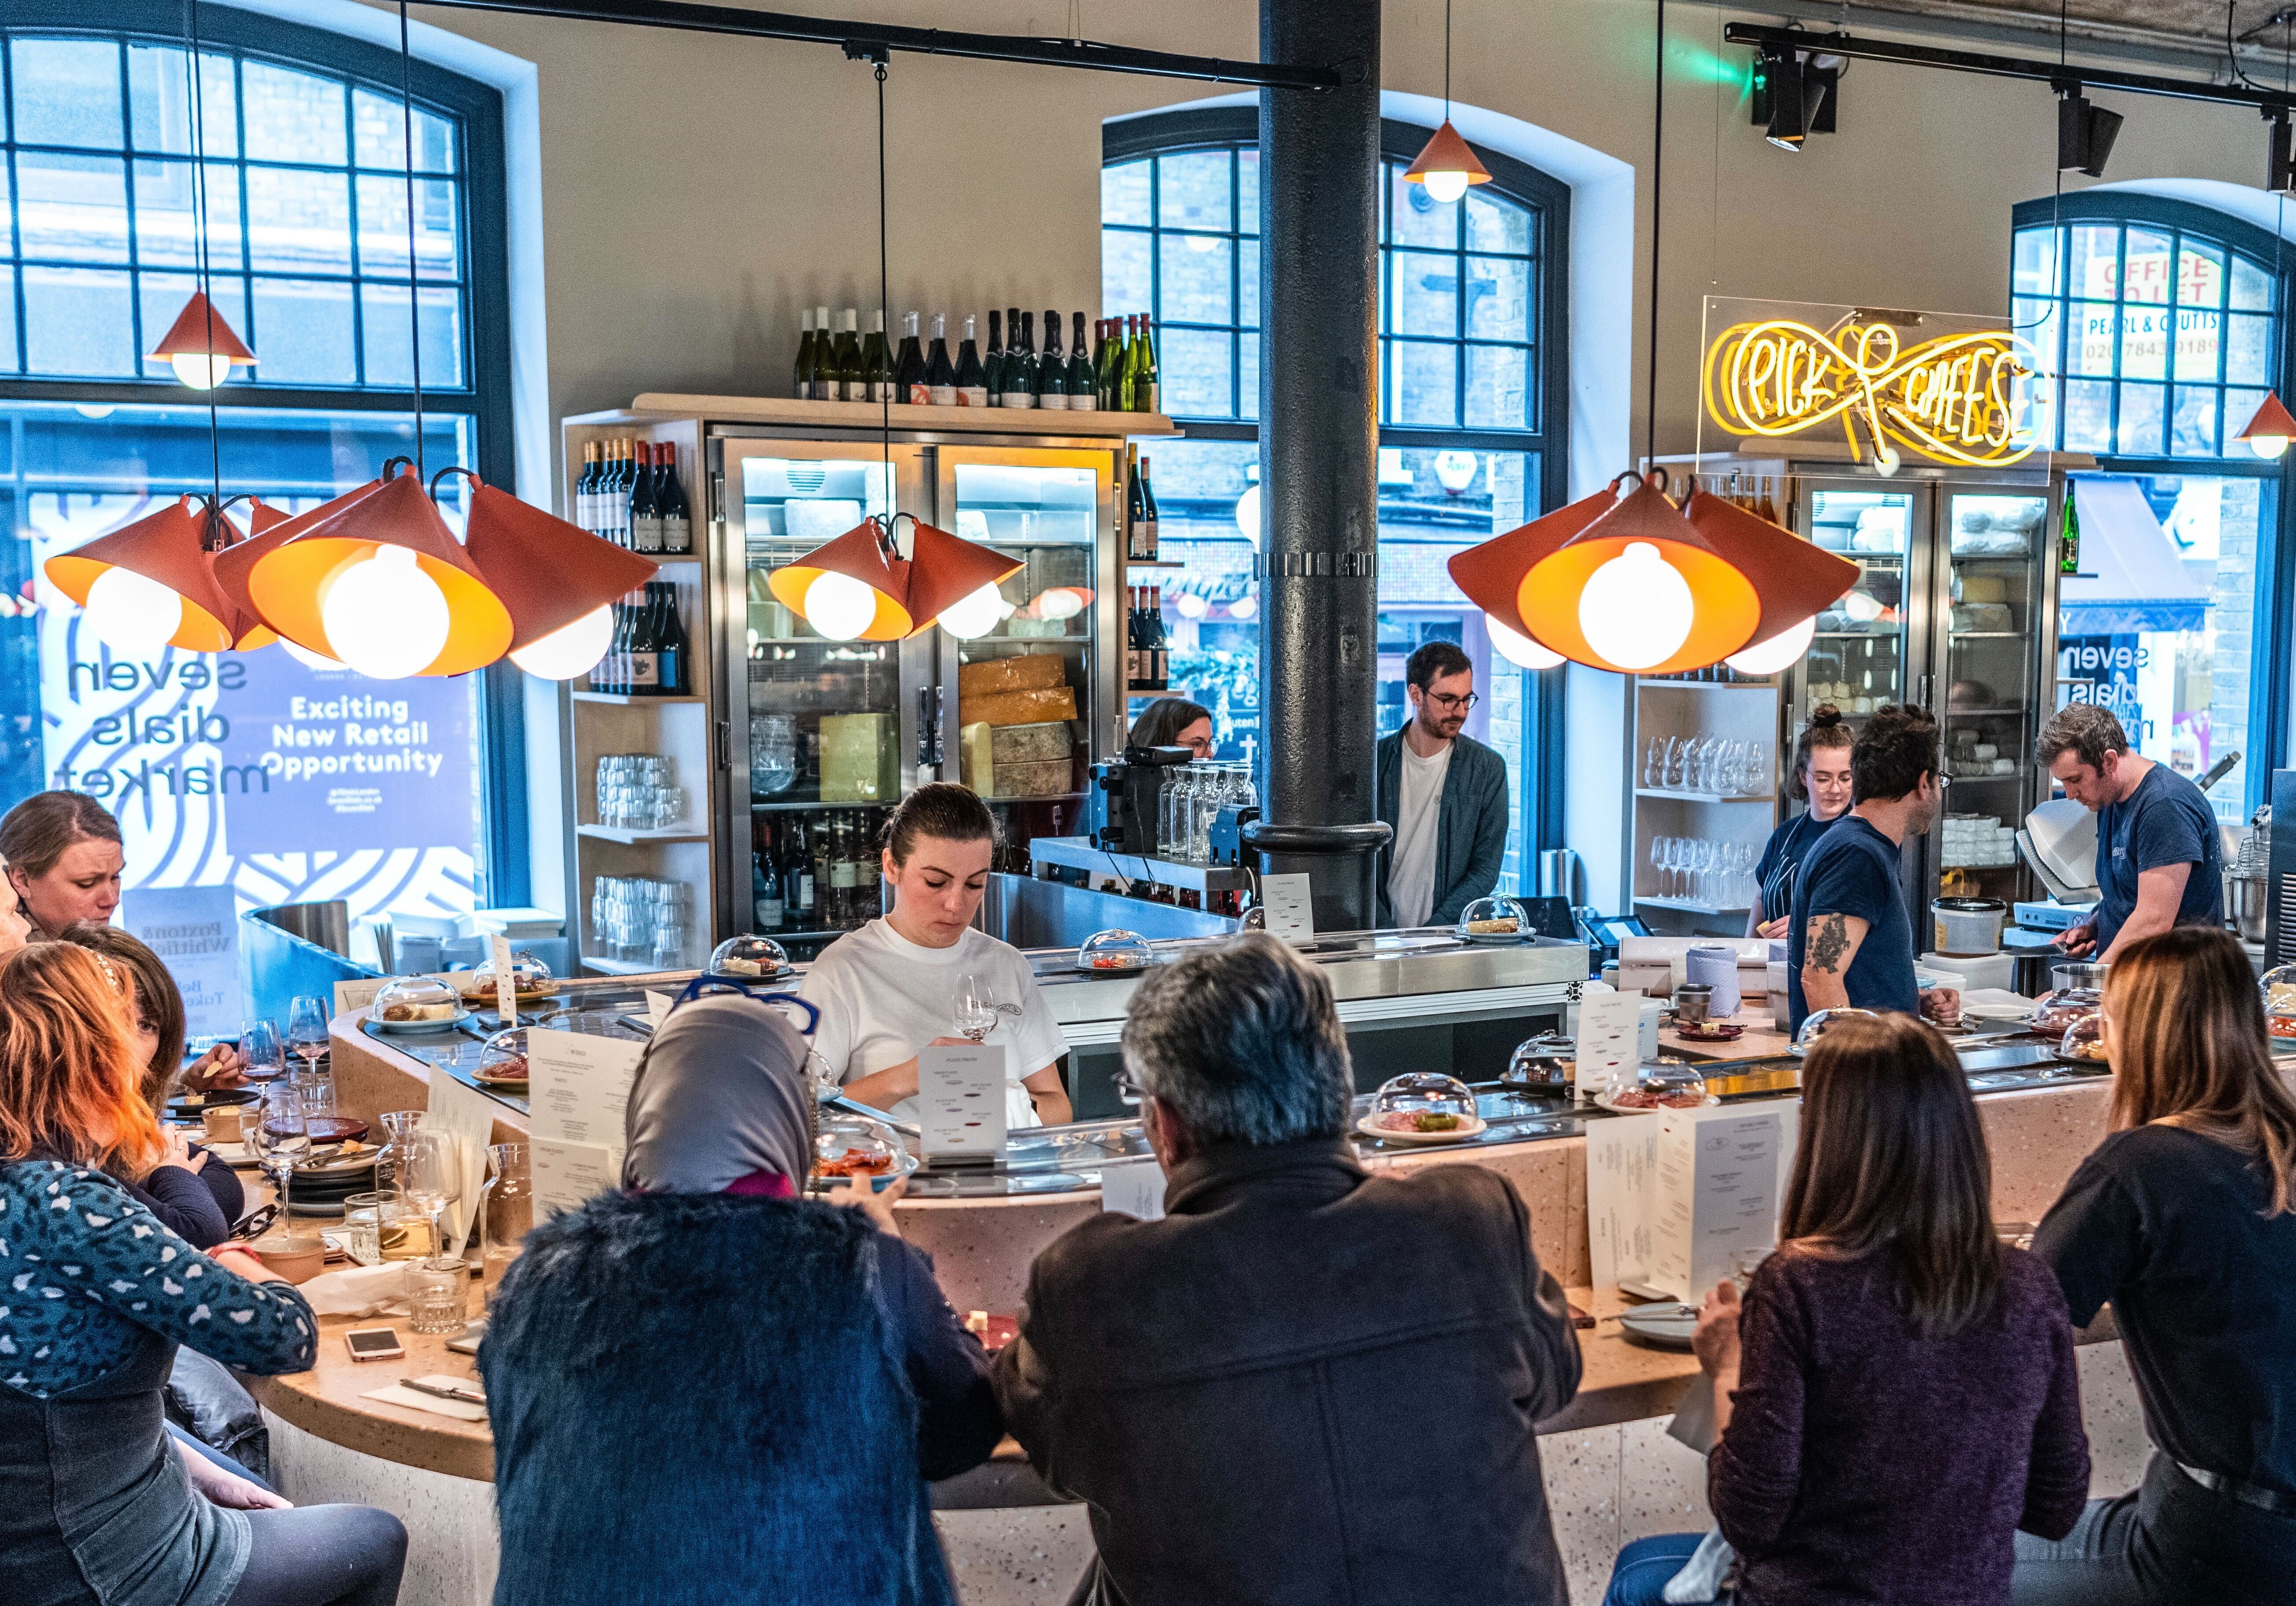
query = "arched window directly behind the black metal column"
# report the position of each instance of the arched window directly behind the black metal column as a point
(1471, 360)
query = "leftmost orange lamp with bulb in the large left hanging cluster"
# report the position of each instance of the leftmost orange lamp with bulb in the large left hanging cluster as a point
(150, 585)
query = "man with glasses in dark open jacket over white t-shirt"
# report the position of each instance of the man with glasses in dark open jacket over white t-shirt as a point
(1443, 794)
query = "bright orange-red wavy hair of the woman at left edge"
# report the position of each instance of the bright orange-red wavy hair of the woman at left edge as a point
(70, 1083)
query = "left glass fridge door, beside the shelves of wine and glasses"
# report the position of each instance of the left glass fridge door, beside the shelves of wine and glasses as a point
(819, 736)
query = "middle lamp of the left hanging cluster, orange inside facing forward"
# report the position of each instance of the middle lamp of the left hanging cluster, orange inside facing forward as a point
(385, 589)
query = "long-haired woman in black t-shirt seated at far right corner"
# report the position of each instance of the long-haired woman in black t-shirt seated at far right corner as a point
(2187, 1221)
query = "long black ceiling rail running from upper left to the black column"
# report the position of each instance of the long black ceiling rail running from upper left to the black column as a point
(869, 40)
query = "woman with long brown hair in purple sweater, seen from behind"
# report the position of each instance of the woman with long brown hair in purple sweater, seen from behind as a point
(1895, 1398)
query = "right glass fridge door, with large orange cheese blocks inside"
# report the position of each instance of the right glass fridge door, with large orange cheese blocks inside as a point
(1021, 700)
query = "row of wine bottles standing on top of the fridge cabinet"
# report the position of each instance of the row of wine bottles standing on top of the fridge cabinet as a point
(1119, 373)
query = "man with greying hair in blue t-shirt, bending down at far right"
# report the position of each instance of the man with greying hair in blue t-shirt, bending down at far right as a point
(2159, 856)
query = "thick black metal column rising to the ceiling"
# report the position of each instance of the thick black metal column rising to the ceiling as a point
(1319, 454)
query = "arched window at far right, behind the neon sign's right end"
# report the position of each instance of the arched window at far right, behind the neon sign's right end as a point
(2159, 330)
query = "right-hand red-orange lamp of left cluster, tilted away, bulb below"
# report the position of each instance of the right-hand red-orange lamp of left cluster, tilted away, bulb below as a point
(557, 580)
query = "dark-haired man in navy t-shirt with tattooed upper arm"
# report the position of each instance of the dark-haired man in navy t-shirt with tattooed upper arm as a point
(1852, 939)
